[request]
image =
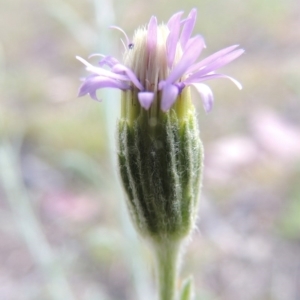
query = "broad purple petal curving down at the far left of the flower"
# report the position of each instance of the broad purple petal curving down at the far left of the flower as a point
(93, 83)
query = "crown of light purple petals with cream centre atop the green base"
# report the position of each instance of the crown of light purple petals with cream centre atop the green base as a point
(159, 63)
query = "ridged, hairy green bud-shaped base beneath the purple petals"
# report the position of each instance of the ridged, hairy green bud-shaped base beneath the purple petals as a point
(160, 161)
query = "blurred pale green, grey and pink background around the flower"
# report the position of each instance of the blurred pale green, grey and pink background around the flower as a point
(64, 231)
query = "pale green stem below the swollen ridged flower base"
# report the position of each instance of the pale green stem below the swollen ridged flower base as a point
(167, 255)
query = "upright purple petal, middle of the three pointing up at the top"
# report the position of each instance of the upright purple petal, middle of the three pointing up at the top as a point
(172, 40)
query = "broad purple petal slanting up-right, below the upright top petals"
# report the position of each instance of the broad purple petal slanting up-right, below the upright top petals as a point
(188, 58)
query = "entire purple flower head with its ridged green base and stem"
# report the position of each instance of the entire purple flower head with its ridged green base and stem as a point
(160, 154)
